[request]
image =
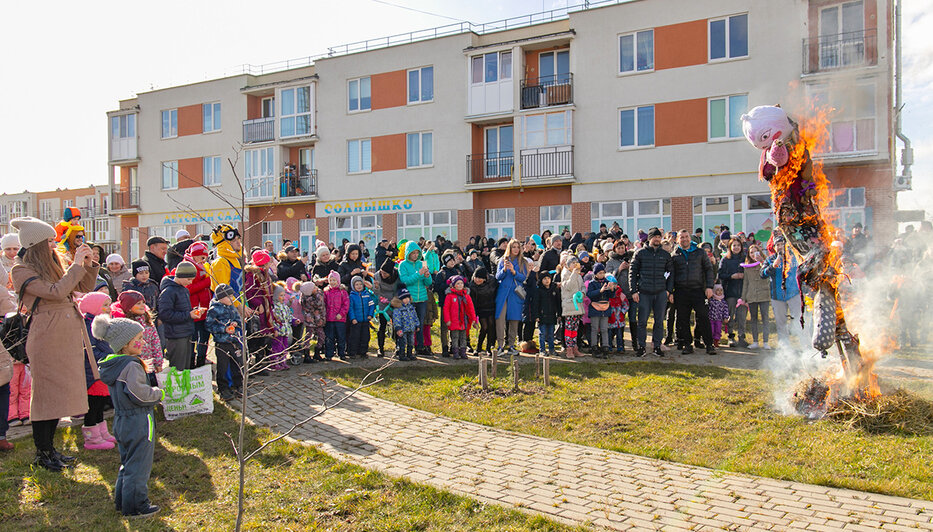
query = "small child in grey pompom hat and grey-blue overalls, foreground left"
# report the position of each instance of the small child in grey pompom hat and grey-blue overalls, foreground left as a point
(133, 422)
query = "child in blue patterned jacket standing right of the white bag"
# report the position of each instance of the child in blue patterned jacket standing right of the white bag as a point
(225, 324)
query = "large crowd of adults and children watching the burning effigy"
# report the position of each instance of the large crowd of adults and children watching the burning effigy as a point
(578, 292)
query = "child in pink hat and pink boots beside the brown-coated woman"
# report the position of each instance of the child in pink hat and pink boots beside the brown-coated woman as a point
(95, 431)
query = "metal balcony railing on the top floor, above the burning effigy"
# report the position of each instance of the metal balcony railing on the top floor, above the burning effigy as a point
(842, 50)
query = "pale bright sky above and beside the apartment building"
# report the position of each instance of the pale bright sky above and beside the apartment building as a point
(81, 58)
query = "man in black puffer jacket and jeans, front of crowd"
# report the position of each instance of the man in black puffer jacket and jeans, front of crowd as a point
(652, 283)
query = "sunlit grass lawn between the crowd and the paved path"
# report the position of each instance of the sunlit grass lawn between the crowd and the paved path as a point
(702, 415)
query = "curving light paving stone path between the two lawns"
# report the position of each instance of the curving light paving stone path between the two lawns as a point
(567, 482)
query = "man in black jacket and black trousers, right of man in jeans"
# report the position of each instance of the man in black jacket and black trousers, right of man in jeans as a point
(693, 285)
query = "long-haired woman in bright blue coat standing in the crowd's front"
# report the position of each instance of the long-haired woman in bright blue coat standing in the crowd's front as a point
(511, 272)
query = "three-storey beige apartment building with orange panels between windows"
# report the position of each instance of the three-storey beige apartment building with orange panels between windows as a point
(618, 112)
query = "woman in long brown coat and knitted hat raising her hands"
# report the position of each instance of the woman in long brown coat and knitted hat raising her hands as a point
(57, 343)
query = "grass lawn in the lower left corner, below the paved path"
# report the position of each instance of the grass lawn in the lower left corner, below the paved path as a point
(290, 487)
